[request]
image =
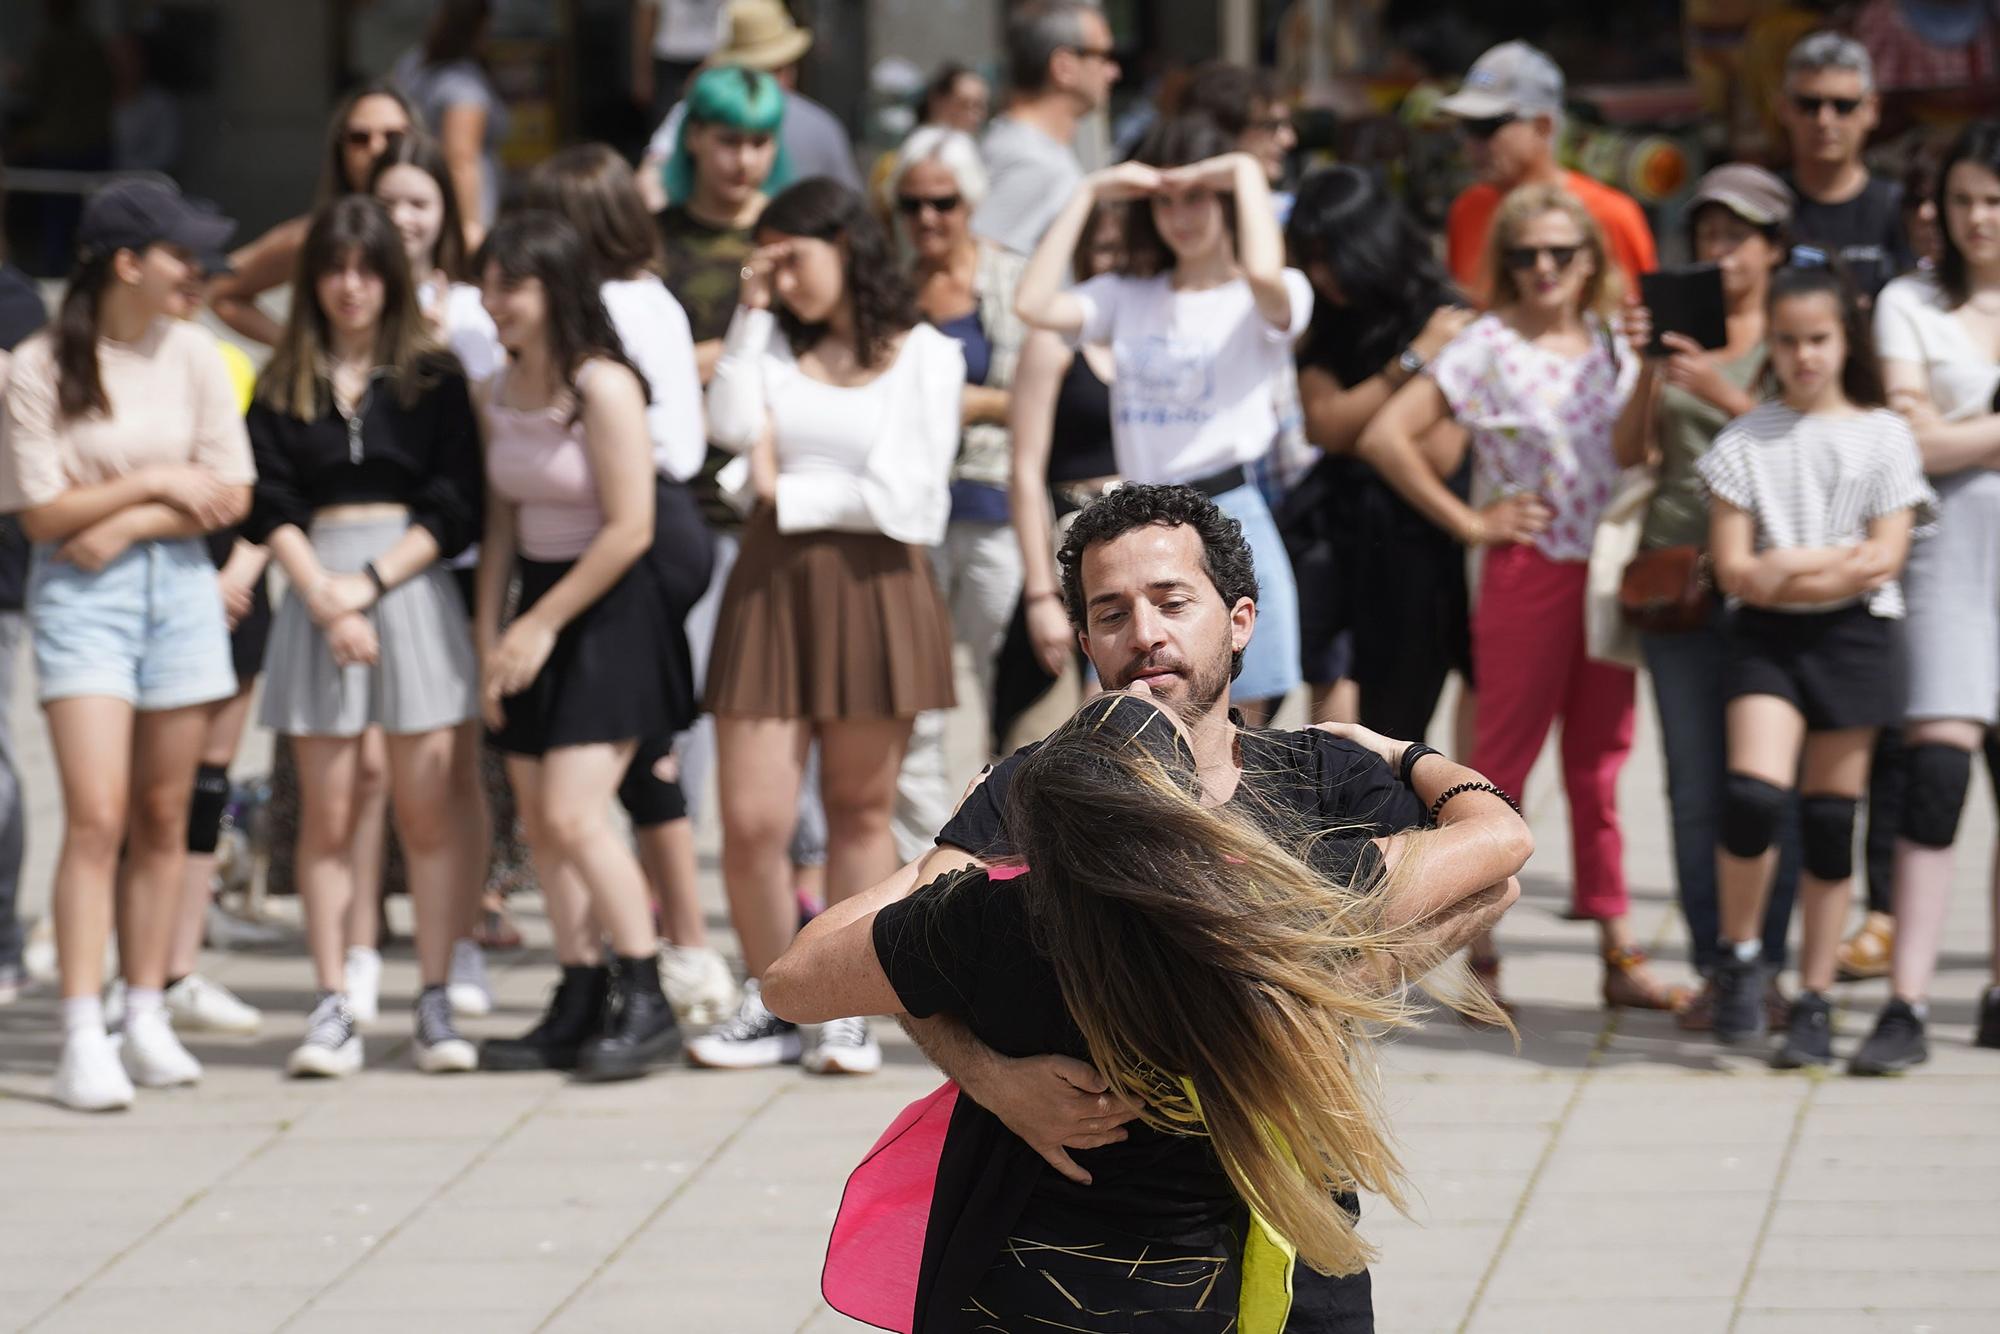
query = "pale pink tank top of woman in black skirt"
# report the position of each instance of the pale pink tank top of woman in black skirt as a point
(537, 461)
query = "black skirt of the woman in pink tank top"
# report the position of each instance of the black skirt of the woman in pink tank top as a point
(607, 679)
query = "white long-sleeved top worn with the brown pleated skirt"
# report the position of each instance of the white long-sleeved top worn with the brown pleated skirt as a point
(867, 459)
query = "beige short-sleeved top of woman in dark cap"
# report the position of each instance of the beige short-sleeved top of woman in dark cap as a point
(171, 405)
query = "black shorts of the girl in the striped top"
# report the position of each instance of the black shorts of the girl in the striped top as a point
(1841, 669)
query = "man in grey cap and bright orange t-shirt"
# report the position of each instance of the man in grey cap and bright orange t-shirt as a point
(1509, 111)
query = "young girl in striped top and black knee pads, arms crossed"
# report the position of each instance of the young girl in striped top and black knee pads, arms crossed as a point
(1815, 497)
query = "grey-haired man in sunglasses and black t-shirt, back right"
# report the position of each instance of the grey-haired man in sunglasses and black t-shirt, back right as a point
(1845, 211)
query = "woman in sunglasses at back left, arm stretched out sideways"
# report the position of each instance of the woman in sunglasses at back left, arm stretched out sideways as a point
(367, 123)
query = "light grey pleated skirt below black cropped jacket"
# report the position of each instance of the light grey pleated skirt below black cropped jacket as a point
(425, 677)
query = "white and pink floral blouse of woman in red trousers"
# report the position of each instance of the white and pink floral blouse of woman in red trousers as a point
(1541, 423)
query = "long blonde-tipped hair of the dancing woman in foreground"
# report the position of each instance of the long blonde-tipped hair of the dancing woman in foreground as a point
(1221, 981)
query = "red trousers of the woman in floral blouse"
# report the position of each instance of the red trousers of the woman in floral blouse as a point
(1531, 669)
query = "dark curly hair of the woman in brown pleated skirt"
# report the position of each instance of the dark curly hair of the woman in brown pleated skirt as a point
(885, 305)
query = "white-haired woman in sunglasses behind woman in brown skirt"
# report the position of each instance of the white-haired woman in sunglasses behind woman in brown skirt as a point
(965, 287)
